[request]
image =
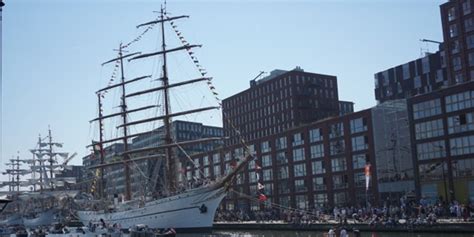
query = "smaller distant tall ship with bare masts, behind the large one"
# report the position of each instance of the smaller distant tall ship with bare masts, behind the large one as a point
(38, 186)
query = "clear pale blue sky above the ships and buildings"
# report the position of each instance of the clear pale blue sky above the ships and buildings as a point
(52, 51)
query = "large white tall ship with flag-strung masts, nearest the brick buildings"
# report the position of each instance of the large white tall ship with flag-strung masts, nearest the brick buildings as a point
(167, 202)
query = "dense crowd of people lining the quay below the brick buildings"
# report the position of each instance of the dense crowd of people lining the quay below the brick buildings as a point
(404, 213)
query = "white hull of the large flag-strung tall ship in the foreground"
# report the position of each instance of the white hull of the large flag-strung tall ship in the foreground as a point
(182, 211)
